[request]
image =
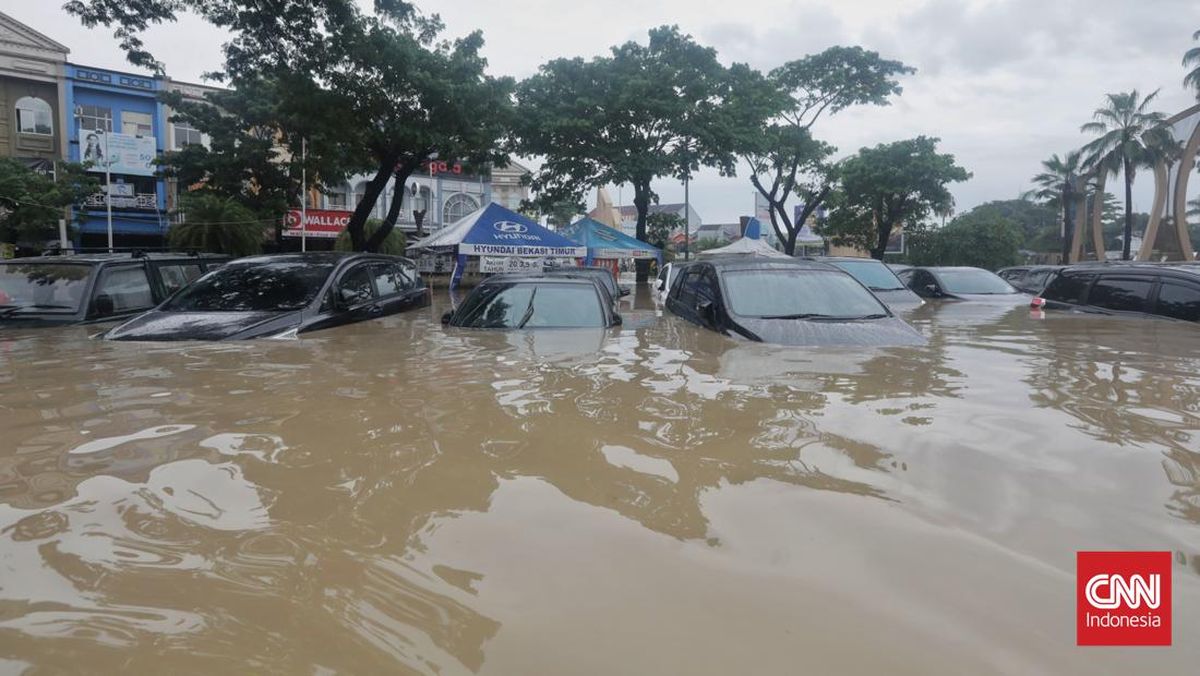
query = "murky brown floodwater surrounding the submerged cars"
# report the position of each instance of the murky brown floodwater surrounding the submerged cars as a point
(397, 498)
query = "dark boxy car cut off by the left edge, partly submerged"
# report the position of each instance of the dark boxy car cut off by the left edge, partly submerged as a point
(86, 289)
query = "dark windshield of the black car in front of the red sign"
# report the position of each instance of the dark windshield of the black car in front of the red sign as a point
(274, 286)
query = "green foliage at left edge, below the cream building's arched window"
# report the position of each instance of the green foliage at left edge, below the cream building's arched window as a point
(32, 202)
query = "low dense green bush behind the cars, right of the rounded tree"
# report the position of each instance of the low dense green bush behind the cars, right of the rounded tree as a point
(980, 238)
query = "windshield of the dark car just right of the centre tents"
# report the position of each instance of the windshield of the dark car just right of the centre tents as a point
(799, 295)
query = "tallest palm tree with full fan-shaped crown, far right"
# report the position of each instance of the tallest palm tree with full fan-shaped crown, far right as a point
(1130, 137)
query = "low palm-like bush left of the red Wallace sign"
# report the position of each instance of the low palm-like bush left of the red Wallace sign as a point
(219, 224)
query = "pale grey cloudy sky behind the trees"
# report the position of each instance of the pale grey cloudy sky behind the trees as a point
(1004, 83)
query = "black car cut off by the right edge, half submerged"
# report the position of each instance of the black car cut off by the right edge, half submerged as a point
(1138, 290)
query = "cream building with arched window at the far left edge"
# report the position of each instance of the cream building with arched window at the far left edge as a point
(32, 94)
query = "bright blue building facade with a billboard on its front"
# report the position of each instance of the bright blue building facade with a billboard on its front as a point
(123, 110)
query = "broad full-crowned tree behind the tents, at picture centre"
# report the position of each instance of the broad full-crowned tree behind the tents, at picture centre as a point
(647, 111)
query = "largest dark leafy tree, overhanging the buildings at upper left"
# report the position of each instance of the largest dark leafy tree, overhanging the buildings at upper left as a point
(377, 93)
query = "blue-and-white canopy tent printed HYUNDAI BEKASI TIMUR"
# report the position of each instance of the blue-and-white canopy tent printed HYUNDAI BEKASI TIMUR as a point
(495, 234)
